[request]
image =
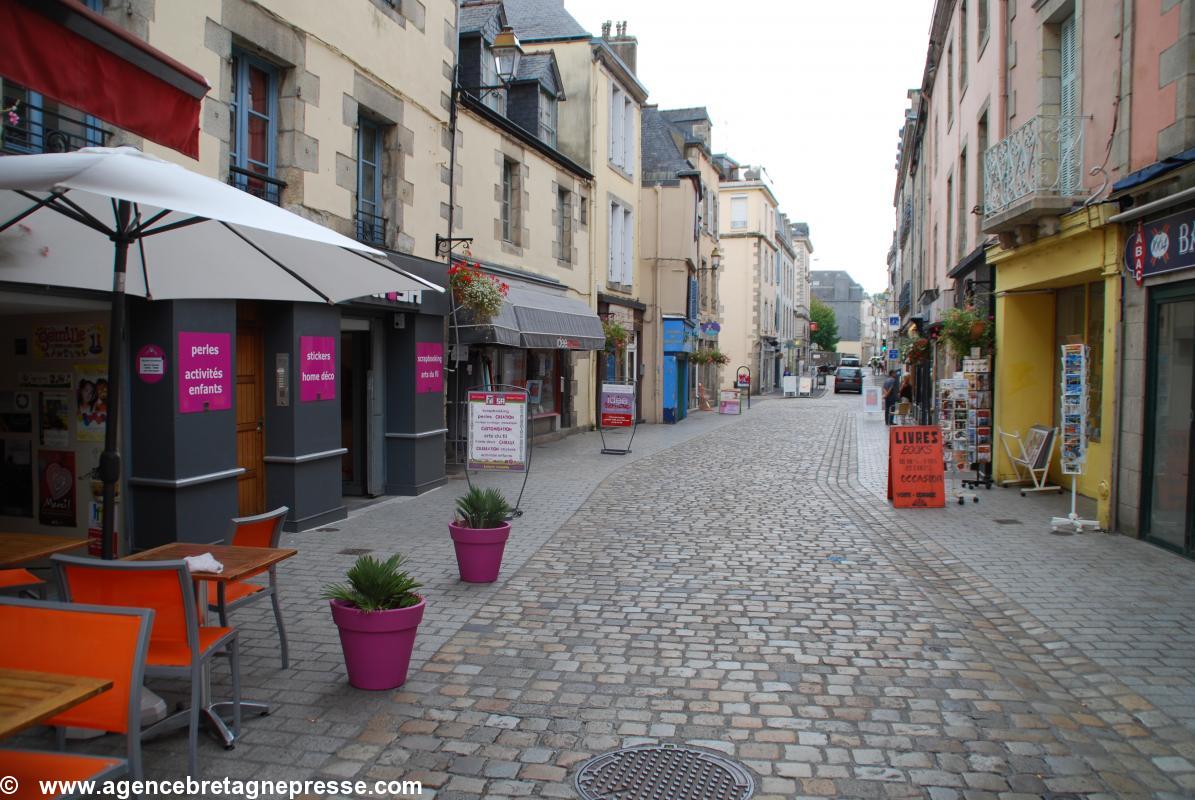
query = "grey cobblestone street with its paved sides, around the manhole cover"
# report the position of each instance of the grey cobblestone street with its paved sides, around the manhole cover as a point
(739, 584)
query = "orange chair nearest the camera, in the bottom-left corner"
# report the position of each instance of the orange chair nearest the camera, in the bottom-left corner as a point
(51, 638)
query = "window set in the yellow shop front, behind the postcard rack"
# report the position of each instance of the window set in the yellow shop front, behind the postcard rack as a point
(1080, 317)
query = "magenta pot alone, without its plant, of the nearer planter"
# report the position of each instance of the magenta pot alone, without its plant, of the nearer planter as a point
(377, 644)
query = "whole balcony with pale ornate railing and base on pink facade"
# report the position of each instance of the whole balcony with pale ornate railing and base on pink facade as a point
(1035, 172)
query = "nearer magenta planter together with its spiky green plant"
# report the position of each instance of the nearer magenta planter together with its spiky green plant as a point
(378, 614)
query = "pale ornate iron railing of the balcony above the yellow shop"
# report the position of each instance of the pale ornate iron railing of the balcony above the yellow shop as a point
(1043, 156)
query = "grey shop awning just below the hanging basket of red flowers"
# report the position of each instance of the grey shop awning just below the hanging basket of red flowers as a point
(532, 319)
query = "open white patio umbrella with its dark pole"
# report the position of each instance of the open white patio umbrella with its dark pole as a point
(174, 235)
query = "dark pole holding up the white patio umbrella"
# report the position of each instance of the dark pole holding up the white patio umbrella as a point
(111, 460)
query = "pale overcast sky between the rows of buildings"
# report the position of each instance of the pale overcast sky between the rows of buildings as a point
(814, 91)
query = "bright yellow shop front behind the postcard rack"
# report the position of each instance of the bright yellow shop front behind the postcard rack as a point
(1061, 290)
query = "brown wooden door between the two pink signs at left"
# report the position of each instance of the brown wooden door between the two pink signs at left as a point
(250, 411)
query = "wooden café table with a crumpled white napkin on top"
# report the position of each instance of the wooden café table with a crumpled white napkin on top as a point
(238, 564)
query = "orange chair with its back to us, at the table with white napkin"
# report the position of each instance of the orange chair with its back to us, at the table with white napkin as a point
(179, 646)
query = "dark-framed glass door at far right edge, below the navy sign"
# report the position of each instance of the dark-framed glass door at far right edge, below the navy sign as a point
(1168, 514)
